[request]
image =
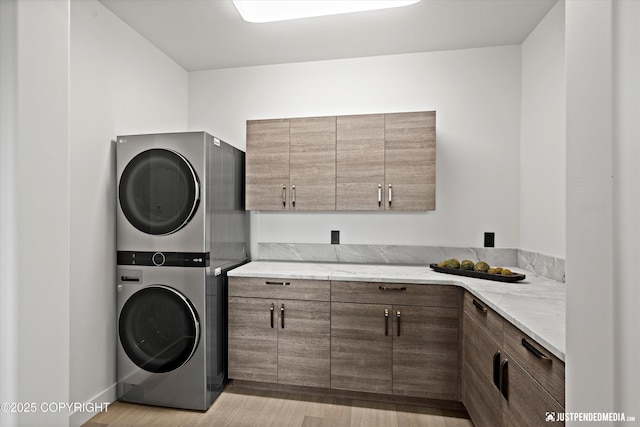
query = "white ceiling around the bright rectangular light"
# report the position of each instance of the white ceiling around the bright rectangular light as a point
(210, 34)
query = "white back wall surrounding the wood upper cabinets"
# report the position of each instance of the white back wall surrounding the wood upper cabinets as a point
(476, 94)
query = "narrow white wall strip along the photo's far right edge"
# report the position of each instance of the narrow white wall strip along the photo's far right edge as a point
(626, 205)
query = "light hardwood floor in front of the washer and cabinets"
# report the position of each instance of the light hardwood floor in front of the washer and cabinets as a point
(239, 407)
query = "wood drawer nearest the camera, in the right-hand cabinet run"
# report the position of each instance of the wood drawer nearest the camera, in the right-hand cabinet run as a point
(544, 367)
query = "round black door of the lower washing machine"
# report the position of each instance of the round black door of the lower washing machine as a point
(159, 329)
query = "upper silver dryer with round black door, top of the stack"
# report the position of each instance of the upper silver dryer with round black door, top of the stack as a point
(180, 193)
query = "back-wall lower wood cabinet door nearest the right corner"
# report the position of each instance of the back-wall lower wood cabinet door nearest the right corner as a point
(425, 352)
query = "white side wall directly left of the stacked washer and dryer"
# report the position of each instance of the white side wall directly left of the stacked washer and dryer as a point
(120, 84)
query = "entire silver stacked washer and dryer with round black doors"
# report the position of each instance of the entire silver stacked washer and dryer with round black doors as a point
(181, 225)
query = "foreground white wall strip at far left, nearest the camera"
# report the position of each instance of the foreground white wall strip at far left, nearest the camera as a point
(41, 207)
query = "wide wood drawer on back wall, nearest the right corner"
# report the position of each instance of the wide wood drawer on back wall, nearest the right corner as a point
(395, 293)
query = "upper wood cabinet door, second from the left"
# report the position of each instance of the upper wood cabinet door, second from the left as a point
(312, 155)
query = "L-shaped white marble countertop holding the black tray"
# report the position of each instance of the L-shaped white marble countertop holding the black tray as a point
(535, 305)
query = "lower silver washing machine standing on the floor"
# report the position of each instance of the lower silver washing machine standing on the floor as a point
(171, 345)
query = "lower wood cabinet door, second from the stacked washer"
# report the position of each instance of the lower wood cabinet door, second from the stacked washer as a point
(304, 342)
